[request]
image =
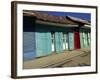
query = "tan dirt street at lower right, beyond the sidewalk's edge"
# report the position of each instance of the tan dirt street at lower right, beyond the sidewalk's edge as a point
(78, 61)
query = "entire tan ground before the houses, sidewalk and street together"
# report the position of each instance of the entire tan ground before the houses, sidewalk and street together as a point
(80, 57)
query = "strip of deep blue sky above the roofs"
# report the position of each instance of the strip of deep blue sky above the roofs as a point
(85, 16)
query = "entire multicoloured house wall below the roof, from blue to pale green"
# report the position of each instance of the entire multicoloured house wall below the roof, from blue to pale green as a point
(37, 39)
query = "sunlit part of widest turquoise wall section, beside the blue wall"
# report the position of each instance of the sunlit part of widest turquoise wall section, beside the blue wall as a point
(43, 43)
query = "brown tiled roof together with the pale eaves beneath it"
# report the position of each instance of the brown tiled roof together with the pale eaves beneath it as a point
(46, 19)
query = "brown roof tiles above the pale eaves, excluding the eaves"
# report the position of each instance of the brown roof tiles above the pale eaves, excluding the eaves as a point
(56, 19)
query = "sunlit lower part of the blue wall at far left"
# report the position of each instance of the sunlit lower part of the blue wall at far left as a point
(29, 49)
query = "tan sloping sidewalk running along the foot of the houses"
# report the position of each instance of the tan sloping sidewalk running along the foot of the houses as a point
(55, 59)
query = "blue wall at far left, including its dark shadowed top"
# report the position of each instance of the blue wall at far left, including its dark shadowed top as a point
(29, 46)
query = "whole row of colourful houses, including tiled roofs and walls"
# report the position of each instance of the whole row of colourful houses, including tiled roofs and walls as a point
(45, 34)
